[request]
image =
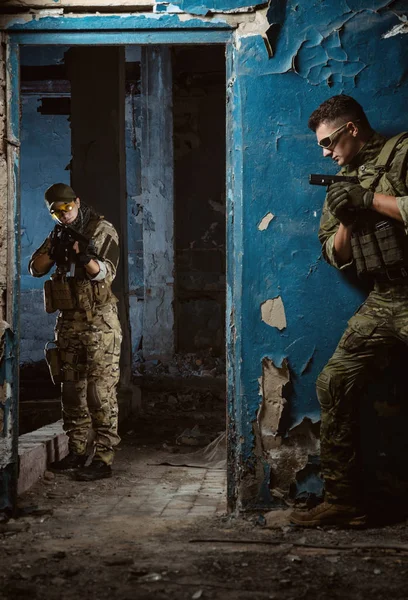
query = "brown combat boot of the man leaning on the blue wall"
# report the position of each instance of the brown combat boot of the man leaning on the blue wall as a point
(326, 514)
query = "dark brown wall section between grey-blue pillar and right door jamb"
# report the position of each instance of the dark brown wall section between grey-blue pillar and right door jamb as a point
(199, 170)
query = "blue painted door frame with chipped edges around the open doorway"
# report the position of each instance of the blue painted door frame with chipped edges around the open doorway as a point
(139, 29)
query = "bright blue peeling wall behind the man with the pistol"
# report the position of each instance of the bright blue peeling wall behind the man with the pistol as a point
(319, 50)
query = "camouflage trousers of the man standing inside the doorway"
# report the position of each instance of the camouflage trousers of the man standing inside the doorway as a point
(90, 353)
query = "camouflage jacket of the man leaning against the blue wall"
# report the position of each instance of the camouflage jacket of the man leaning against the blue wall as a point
(394, 183)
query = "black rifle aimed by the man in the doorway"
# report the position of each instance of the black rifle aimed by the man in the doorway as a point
(63, 238)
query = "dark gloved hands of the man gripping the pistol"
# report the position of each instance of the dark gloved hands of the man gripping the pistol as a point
(345, 199)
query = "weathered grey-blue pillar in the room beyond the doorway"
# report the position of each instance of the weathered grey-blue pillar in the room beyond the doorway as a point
(158, 202)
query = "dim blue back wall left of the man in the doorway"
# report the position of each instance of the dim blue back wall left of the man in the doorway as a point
(45, 154)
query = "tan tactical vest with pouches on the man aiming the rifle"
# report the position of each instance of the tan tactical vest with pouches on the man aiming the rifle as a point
(78, 293)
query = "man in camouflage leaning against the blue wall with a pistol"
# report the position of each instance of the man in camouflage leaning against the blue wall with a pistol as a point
(364, 226)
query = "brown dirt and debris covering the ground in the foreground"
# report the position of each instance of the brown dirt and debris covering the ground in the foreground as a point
(64, 546)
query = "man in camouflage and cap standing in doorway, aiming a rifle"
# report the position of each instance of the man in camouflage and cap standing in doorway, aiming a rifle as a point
(88, 333)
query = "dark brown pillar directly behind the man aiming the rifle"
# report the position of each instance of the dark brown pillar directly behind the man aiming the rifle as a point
(98, 170)
